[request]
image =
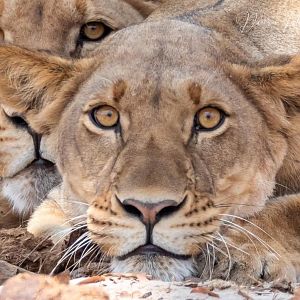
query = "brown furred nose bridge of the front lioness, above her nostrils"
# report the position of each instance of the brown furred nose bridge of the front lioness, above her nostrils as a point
(153, 172)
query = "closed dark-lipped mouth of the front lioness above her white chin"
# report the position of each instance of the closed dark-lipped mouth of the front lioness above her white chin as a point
(152, 250)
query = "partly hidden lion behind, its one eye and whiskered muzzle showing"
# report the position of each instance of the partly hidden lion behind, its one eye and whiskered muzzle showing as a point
(69, 28)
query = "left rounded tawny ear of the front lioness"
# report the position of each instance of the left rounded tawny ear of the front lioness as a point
(35, 84)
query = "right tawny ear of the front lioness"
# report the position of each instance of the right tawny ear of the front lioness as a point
(274, 88)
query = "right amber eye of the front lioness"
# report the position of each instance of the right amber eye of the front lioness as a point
(209, 118)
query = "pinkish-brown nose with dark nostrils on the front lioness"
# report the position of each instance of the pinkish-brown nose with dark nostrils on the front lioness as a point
(150, 213)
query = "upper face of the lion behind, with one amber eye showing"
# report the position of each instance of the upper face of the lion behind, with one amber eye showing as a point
(69, 28)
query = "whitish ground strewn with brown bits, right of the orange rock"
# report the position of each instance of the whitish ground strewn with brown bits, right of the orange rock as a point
(129, 288)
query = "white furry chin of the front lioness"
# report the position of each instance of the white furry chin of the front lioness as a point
(159, 267)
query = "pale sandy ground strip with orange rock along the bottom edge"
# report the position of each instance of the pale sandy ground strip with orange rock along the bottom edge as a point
(134, 286)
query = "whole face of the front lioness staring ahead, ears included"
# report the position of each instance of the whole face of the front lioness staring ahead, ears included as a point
(165, 148)
